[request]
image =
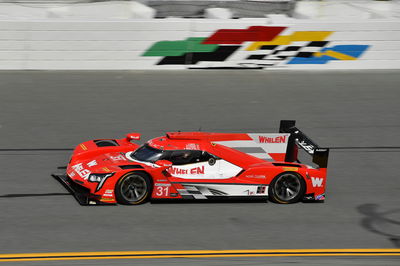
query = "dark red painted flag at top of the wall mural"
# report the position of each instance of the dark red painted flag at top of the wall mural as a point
(251, 34)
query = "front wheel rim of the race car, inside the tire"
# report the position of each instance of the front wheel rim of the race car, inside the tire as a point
(134, 188)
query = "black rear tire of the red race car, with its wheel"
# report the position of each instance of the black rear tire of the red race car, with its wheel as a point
(286, 188)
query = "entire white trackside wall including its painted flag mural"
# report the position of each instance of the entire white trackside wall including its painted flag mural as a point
(275, 42)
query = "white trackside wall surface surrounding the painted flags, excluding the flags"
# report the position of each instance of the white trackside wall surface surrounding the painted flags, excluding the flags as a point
(64, 44)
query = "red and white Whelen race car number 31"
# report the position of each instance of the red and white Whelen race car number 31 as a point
(198, 166)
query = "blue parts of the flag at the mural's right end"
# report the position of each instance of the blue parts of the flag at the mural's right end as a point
(351, 50)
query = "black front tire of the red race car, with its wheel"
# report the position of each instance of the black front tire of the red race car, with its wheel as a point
(133, 188)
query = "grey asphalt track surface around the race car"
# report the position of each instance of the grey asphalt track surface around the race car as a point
(356, 113)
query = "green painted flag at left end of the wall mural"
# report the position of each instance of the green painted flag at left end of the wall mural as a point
(178, 48)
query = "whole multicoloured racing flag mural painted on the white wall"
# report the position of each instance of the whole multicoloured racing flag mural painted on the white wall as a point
(265, 47)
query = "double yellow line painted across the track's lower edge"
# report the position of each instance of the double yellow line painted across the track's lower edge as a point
(196, 254)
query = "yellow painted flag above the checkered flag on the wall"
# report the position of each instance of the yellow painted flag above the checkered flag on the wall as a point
(298, 36)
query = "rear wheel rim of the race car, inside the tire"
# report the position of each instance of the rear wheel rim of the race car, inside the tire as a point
(287, 187)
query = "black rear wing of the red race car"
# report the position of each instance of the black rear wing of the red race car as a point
(298, 139)
